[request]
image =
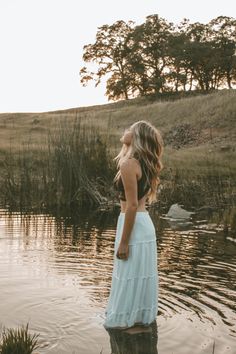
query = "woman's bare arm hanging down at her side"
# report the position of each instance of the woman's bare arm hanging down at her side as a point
(128, 171)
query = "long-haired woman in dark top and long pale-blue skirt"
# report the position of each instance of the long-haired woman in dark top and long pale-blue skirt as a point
(134, 287)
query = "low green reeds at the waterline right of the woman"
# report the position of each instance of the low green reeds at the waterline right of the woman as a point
(197, 188)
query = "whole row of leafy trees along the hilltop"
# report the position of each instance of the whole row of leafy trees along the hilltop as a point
(158, 56)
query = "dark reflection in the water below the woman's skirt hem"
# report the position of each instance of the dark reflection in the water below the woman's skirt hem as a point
(141, 343)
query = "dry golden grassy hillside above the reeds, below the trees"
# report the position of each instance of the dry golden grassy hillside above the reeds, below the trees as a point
(192, 128)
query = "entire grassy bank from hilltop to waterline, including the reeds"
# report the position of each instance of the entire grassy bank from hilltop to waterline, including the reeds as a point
(64, 158)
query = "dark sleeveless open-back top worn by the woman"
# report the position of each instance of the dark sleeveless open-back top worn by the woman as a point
(143, 185)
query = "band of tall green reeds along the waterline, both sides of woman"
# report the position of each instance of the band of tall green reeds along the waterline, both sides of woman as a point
(73, 168)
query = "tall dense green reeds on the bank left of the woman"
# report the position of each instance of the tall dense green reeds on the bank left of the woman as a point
(72, 169)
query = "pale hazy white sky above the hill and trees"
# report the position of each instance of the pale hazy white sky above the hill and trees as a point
(42, 45)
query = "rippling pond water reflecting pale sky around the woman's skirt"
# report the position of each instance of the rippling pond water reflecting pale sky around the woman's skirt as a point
(55, 273)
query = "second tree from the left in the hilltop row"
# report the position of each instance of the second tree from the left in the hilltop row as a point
(148, 54)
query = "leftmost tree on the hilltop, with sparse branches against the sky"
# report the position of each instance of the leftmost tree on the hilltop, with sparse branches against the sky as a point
(109, 53)
